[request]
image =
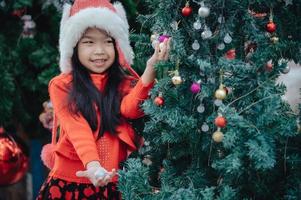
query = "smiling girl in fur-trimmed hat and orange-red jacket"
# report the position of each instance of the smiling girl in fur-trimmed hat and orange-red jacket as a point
(92, 100)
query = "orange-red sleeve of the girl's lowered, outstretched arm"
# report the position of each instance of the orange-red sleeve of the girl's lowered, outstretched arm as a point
(76, 127)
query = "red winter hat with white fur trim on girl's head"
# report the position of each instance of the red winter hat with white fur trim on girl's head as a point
(94, 13)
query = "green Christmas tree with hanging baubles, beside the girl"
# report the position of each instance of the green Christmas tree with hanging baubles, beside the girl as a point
(217, 127)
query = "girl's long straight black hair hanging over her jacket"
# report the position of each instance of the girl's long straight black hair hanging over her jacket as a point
(86, 99)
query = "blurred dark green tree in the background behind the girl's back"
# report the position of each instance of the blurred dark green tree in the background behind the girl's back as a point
(28, 58)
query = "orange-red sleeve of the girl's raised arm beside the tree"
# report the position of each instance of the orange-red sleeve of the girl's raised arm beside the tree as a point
(130, 103)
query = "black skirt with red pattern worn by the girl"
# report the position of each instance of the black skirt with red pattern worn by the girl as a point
(55, 188)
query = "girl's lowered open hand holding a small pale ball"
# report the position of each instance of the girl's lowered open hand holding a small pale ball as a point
(98, 175)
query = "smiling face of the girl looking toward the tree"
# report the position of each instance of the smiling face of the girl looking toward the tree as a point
(96, 50)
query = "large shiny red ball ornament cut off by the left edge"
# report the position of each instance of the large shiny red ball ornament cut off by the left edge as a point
(13, 162)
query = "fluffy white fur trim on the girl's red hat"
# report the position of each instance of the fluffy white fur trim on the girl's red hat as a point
(72, 29)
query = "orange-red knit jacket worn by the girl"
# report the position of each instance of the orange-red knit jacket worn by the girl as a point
(77, 144)
